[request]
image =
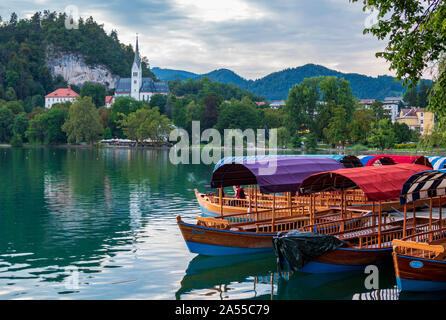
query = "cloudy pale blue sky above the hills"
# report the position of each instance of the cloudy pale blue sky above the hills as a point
(251, 37)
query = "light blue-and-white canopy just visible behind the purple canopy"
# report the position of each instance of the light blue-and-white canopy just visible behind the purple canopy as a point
(347, 160)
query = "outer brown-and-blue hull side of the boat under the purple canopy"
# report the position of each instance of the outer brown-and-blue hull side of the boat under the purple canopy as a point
(217, 242)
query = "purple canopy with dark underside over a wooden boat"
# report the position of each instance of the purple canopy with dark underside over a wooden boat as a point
(272, 175)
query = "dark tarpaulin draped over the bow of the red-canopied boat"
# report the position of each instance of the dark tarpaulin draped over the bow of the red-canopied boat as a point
(297, 248)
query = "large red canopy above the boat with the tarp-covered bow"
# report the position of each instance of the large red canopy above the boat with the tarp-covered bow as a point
(377, 182)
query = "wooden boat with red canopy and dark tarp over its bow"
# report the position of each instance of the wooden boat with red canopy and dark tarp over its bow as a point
(371, 243)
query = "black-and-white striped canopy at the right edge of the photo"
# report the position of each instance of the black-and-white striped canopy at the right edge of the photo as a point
(424, 185)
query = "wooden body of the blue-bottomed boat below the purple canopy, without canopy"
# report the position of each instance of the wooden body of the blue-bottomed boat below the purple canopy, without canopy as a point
(250, 233)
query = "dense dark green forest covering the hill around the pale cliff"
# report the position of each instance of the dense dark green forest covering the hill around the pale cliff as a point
(26, 43)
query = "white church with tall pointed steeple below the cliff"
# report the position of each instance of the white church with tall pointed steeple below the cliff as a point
(137, 87)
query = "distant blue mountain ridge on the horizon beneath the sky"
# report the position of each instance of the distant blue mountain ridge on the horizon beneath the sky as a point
(276, 86)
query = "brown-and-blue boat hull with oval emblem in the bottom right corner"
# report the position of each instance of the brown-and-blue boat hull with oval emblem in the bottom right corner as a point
(417, 274)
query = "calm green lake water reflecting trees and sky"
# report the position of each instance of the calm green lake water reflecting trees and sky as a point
(101, 224)
